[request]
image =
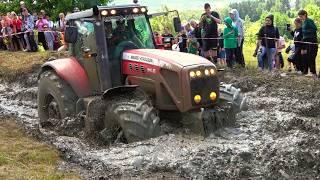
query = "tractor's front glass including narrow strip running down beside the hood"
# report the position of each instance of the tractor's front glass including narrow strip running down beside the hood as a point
(124, 33)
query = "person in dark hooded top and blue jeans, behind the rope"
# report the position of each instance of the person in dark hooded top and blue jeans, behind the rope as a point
(268, 35)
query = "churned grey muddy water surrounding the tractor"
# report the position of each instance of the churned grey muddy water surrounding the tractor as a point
(278, 137)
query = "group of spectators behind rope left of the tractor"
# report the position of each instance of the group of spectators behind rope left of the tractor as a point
(31, 32)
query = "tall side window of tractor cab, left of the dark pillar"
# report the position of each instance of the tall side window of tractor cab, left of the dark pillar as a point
(85, 51)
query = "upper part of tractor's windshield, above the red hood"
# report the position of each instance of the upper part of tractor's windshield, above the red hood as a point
(132, 29)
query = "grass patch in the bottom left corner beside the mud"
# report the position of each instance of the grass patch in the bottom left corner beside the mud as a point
(22, 157)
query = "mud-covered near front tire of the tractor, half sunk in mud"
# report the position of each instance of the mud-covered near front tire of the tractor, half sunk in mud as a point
(135, 115)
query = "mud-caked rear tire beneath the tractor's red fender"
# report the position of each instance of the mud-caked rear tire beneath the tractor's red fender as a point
(56, 99)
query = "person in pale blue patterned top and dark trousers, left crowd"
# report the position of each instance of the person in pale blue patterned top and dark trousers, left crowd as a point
(27, 28)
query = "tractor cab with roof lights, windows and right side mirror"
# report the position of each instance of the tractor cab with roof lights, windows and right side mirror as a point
(104, 33)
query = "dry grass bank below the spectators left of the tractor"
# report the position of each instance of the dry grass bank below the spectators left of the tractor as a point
(15, 64)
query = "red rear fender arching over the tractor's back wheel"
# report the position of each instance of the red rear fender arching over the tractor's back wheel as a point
(72, 72)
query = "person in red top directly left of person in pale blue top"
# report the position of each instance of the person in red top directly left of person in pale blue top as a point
(17, 26)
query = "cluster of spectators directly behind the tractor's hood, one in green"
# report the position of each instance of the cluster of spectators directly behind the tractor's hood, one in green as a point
(204, 38)
